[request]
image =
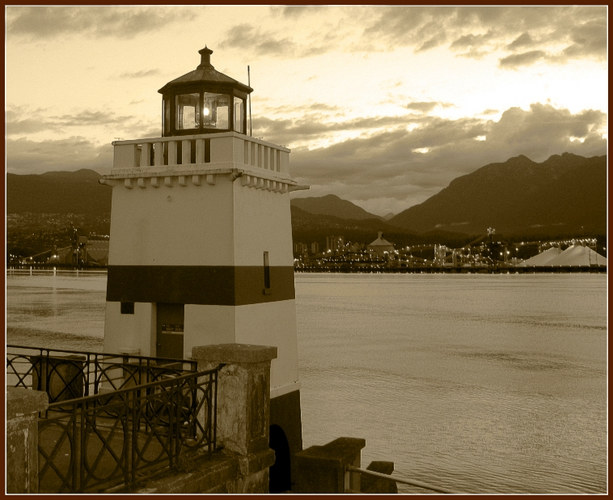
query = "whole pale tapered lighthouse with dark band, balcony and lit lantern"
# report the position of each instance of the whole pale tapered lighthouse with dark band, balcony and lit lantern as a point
(200, 245)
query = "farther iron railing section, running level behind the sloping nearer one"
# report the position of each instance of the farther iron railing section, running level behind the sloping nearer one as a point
(68, 374)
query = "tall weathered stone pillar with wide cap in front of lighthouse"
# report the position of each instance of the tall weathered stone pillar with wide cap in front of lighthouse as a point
(243, 408)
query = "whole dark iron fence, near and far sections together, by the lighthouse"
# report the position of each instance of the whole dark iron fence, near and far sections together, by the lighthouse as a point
(114, 420)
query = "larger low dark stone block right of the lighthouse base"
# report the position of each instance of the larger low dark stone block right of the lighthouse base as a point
(323, 469)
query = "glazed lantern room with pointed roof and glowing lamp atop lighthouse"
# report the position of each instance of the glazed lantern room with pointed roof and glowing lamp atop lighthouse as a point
(204, 101)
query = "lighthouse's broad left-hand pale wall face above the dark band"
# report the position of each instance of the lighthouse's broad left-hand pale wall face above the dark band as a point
(177, 225)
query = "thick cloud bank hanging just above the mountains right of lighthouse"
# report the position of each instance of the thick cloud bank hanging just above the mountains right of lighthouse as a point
(387, 163)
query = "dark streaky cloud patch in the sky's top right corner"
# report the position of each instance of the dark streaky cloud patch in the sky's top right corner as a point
(480, 30)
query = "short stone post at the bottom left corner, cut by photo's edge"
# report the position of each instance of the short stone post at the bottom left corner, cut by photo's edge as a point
(22, 407)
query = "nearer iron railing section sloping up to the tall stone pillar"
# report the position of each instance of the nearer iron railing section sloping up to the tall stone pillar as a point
(119, 438)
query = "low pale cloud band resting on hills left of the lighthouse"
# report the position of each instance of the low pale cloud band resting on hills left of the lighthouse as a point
(26, 156)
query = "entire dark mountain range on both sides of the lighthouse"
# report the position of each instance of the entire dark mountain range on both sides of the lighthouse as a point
(562, 196)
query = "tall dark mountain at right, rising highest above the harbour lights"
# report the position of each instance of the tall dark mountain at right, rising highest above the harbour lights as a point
(565, 192)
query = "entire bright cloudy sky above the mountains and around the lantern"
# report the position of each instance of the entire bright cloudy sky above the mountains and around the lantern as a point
(381, 105)
